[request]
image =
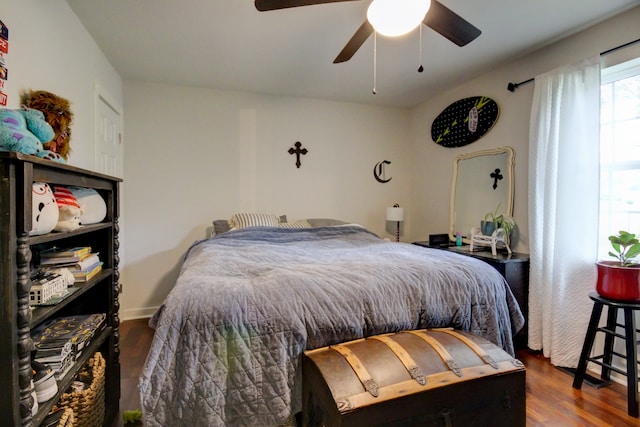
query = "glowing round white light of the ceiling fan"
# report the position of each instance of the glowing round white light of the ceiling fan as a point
(396, 17)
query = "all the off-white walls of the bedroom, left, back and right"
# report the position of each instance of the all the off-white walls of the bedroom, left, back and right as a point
(194, 155)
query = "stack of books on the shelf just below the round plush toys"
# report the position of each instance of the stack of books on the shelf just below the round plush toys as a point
(83, 263)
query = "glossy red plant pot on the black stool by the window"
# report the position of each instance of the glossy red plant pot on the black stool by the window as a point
(617, 282)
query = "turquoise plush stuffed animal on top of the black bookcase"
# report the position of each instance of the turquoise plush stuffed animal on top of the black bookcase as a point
(25, 131)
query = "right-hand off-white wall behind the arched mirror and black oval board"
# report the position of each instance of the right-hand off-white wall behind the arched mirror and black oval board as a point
(432, 164)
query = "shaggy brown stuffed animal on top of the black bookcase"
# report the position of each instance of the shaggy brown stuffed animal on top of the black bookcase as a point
(57, 112)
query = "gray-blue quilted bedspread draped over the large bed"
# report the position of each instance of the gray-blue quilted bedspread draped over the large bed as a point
(230, 335)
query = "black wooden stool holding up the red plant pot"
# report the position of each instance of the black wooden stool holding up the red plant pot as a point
(605, 359)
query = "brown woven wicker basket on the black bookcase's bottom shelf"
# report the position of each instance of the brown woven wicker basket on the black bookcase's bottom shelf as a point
(88, 404)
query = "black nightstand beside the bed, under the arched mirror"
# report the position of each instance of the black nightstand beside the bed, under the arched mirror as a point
(513, 267)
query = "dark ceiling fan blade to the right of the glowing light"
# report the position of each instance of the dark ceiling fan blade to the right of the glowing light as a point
(449, 24)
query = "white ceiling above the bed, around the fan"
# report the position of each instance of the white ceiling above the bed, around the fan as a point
(228, 44)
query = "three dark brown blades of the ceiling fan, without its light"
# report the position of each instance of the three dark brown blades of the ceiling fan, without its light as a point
(439, 18)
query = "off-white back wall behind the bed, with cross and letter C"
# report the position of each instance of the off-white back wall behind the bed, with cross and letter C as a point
(193, 155)
